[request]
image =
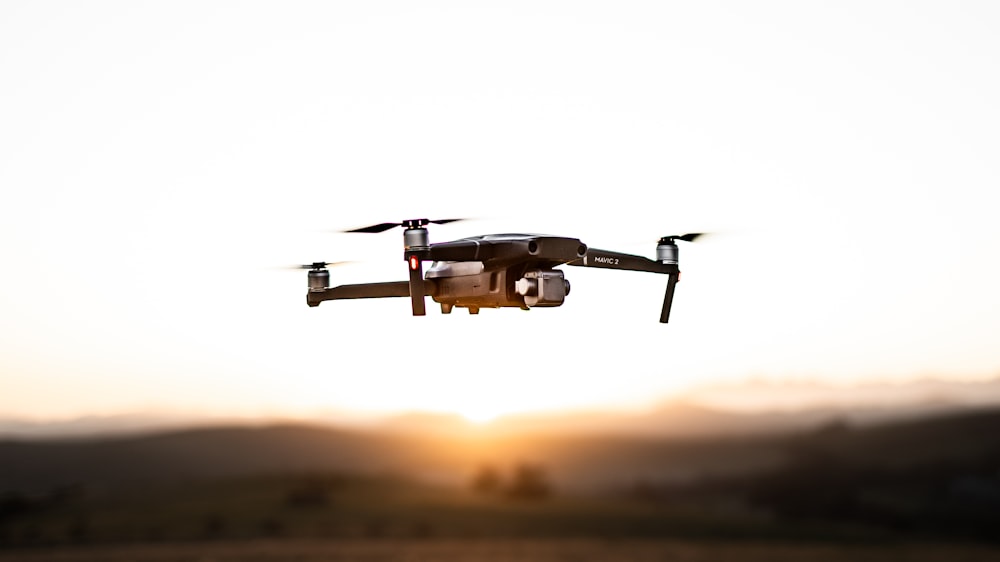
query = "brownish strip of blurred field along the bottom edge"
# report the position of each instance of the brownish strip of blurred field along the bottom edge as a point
(505, 551)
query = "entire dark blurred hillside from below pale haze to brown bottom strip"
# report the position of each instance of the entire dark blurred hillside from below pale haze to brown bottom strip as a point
(936, 477)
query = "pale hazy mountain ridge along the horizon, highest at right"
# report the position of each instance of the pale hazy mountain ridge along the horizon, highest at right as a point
(748, 408)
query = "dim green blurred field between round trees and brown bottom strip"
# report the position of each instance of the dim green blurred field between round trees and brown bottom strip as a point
(332, 506)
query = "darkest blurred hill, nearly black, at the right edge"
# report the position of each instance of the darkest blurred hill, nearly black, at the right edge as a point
(933, 477)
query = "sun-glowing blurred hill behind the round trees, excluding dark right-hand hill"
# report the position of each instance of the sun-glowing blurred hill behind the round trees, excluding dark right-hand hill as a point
(578, 461)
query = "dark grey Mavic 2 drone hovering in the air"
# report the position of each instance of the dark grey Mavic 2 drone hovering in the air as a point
(492, 270)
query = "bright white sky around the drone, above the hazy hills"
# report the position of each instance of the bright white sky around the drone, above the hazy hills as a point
(157, 158)
